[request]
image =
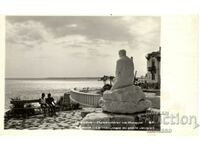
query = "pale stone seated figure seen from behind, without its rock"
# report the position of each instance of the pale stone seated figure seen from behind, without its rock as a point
(124, 71)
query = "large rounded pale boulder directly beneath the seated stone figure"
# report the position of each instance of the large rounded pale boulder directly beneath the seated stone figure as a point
(126, 100)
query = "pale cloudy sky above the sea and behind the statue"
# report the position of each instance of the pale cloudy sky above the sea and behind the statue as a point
(77, 46)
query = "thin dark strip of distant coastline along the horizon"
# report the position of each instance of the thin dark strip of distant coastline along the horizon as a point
(56, 78)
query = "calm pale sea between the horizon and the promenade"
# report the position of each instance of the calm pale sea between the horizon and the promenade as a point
(32, 89)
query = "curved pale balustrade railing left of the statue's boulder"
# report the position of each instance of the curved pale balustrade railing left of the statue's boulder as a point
(86, 99)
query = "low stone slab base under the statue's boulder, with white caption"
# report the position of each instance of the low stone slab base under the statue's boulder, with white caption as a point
(148, 121)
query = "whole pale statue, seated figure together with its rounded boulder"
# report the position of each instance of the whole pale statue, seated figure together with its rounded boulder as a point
(124, 97)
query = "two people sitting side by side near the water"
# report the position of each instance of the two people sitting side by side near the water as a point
(48, 104)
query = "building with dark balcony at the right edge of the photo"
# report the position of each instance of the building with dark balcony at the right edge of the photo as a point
(153, 67)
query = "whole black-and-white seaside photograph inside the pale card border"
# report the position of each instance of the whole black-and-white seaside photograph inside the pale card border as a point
(83, 73)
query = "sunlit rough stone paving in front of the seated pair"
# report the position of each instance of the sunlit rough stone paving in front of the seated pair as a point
(63, 120)
